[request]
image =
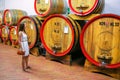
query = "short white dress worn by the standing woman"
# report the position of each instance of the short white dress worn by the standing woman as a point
(24, 43)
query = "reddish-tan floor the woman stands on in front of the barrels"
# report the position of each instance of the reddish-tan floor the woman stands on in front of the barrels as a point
(41, 68)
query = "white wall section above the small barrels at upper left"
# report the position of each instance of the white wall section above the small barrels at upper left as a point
(26, 5)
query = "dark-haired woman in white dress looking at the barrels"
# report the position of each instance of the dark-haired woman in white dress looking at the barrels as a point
(23, 42)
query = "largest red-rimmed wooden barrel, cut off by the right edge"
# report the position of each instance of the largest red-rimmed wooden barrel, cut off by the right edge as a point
(100, 40)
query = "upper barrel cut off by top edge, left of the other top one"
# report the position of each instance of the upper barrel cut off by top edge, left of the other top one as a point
(46, 7)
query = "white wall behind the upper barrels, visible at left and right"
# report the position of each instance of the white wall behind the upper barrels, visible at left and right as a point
(111, 6)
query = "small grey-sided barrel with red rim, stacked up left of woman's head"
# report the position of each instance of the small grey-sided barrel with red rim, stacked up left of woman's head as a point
(12, 16)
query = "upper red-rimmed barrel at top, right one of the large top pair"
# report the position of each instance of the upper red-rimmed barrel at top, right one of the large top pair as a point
(85, 7)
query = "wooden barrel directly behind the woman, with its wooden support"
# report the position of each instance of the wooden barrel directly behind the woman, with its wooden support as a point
(33, 24)
